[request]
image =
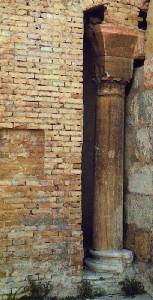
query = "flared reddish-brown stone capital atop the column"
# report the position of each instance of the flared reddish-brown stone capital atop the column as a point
(114, 47)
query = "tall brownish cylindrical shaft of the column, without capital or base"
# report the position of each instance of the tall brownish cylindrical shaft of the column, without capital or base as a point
(108, 201)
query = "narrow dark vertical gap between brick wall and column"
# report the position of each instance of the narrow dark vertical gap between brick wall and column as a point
(92, 16)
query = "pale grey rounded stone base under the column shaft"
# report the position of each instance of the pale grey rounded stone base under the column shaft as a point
(110, 261)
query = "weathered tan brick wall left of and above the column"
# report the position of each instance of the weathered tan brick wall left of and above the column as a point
(41, 125)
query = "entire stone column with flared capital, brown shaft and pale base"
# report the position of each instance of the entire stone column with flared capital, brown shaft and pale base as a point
(114, 48)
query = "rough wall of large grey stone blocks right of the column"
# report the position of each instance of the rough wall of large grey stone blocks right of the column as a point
(139, 156)
